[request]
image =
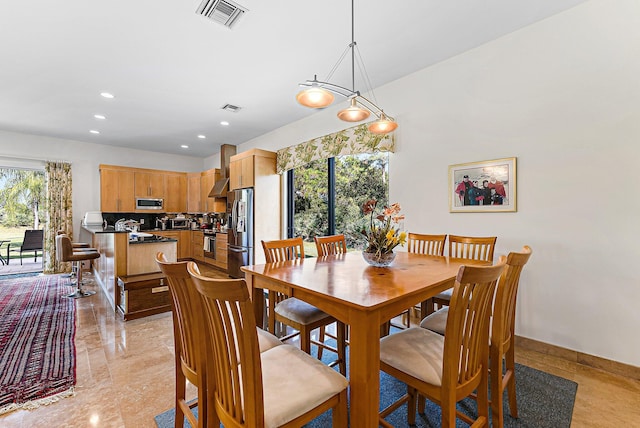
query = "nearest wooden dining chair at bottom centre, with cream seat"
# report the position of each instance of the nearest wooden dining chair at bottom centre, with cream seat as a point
(281, 387)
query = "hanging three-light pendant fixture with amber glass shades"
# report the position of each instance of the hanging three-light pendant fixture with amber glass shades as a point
(319, 94)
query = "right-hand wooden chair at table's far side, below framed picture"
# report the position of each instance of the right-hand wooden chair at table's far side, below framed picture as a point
(465, 247)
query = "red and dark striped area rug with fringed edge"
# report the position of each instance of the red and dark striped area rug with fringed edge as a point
(37, 341)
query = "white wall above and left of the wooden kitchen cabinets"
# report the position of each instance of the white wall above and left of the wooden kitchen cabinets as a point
(23, 150)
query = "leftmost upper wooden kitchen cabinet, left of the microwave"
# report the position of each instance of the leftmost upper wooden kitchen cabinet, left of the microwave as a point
(117, 189)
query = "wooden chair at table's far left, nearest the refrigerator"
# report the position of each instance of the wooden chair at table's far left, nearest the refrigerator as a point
(297, 314)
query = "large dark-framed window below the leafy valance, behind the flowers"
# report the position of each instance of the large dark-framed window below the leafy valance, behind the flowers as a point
(327, 195)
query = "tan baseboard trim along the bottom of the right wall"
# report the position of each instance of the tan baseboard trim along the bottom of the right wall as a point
(610, 366)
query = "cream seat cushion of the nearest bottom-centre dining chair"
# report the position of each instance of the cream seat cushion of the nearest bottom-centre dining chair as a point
(295, 383)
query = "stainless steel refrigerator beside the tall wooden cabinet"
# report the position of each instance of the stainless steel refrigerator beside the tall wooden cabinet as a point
(240, 232)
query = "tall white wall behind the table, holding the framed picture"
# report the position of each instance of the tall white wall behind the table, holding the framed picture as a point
(563, 97)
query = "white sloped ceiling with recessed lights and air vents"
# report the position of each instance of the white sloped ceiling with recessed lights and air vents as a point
(172, 70)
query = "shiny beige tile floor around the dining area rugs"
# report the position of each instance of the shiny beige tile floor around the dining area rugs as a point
(125, 377)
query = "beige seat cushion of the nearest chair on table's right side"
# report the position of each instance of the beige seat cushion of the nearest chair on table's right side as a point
(415, 351)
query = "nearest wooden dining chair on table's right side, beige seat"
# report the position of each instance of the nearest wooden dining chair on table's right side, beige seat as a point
(448, 368)
